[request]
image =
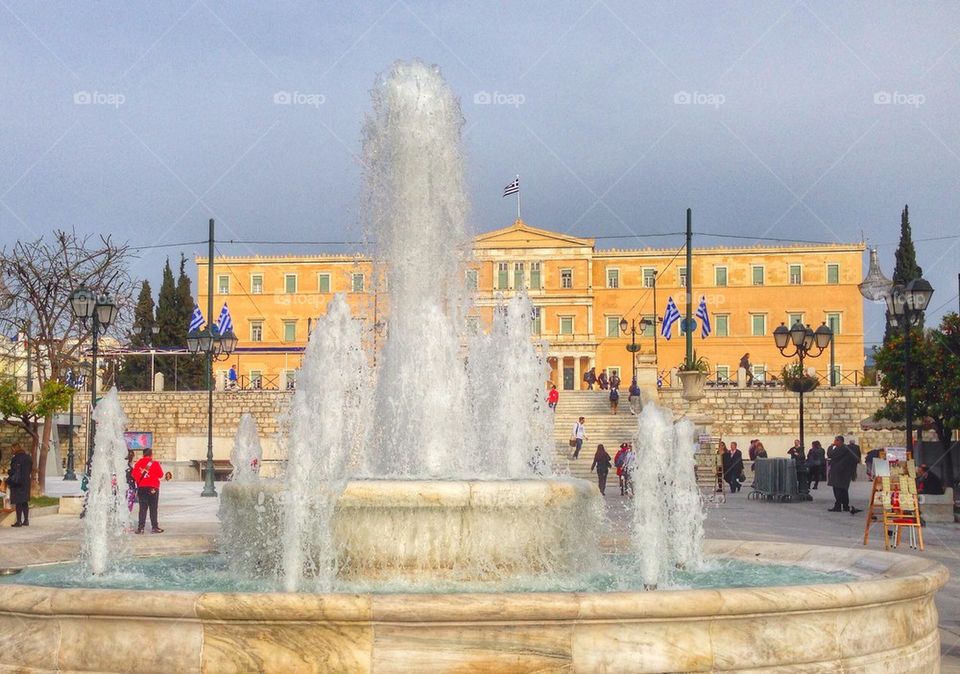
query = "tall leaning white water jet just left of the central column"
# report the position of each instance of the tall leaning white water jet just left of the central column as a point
(328, 424)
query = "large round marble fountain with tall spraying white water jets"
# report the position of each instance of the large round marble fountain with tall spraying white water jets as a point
(419, 524)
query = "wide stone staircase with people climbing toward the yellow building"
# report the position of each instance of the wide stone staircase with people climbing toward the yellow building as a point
(602, 427)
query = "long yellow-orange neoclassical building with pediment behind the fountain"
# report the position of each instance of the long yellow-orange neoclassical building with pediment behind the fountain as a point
(580, 292)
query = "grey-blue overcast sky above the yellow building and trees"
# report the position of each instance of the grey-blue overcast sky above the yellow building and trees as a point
(804, 120)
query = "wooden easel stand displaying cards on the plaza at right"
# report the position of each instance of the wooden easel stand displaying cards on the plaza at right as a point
(893, 502)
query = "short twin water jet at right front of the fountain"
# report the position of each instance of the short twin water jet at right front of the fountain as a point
(667, 512)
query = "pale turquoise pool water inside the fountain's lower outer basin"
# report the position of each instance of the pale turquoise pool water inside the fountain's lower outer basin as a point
(210, 573)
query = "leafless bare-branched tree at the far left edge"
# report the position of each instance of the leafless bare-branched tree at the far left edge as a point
(36, 279)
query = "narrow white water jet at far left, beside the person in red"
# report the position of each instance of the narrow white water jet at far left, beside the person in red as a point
(106, 514)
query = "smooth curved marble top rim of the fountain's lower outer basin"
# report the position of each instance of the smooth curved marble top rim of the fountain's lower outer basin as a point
(884, 577)
